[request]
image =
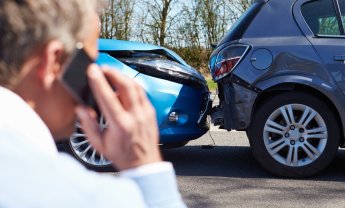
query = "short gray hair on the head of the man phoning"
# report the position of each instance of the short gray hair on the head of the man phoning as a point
(27, 25)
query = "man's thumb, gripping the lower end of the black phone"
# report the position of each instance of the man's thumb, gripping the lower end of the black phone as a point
(90, 127)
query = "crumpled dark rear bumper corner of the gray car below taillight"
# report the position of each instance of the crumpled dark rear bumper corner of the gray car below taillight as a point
(237, 99)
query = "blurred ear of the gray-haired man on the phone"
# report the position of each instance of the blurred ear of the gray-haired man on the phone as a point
(51, 63)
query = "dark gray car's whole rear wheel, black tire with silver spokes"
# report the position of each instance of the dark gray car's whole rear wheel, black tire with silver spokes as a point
(259, 132)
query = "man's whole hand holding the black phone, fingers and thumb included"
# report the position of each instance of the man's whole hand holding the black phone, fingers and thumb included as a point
(131, 139)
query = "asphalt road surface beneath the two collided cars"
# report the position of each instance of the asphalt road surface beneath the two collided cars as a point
(228, 176)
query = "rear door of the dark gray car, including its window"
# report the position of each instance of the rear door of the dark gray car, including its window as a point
(325, 31)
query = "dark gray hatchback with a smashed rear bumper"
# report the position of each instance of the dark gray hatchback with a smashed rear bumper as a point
(281, 77)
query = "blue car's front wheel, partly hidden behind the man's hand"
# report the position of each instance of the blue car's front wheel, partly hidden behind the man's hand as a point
(79, 147)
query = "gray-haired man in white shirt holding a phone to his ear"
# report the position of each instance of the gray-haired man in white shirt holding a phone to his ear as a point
(37, 37)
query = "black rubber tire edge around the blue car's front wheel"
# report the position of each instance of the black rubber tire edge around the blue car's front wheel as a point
(99, 168)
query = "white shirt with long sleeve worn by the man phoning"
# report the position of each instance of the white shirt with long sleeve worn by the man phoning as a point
(34, 174)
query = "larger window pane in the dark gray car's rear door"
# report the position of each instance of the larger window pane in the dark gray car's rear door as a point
(321, 17)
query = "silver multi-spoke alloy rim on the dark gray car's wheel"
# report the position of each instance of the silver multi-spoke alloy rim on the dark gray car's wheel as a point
(295, 135)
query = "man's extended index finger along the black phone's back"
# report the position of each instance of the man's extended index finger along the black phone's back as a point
(103, 93)
